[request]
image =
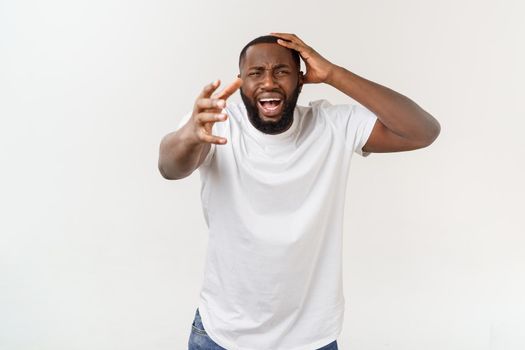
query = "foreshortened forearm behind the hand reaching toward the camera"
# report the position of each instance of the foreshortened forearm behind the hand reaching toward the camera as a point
(180, 155)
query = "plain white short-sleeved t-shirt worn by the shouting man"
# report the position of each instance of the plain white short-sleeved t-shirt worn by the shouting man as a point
(274, 206)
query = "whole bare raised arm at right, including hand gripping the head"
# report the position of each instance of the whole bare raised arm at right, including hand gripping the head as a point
(401, 126)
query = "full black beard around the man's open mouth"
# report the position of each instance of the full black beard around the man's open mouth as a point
(270, 127)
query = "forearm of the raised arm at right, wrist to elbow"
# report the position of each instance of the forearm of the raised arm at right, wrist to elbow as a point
(397, 112)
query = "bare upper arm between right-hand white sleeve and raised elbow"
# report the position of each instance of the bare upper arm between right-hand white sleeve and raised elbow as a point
(381, 140)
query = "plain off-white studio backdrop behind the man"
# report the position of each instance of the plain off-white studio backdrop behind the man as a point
(98, 251)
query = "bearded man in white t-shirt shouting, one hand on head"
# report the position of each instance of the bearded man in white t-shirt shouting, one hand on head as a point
(273, 185)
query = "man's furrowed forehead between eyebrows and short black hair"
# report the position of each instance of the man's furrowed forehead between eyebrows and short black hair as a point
(267, 55)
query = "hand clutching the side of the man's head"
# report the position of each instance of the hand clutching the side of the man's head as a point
(318, 68)
